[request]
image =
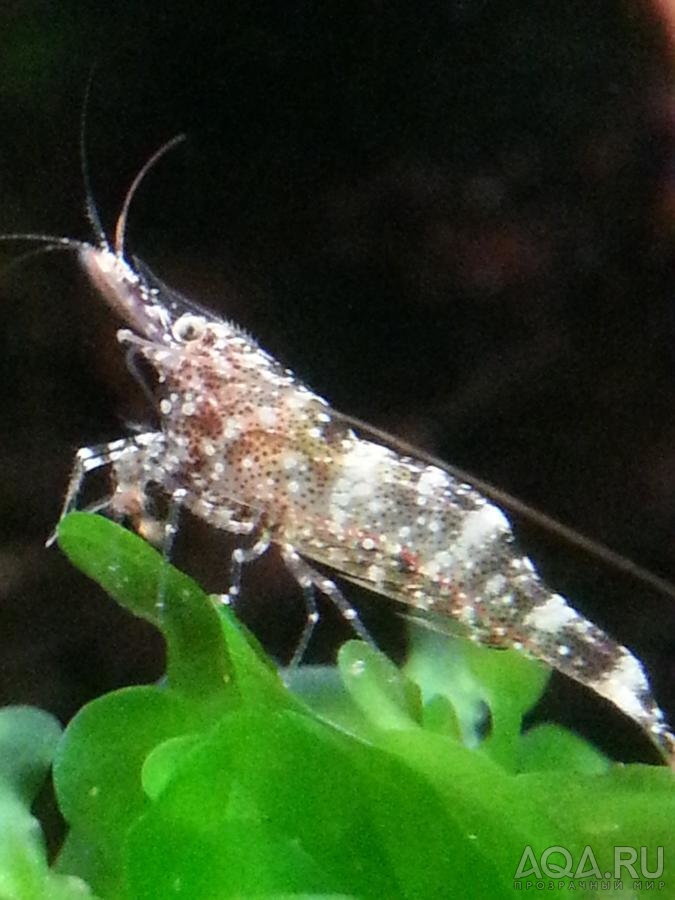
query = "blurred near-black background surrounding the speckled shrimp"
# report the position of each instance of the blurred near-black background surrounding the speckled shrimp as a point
(453, 220)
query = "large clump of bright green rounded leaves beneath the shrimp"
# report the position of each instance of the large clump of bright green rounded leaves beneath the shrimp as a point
(221, 783)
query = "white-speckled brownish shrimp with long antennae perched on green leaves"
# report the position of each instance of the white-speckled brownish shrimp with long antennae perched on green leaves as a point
(247, 447)
